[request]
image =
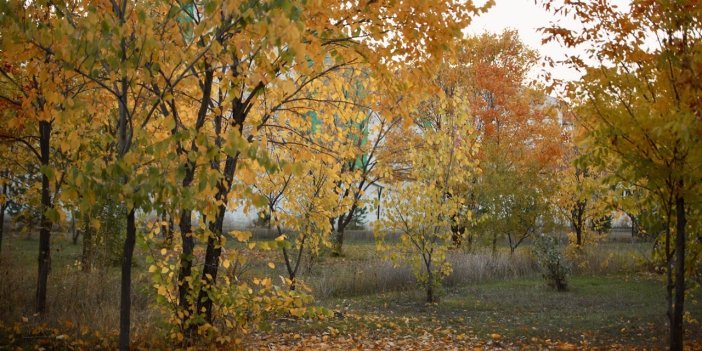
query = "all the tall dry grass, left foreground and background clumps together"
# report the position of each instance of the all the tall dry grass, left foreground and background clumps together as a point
(92, 299)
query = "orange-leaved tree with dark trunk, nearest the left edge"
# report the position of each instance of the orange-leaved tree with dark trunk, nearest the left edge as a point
(37, 94)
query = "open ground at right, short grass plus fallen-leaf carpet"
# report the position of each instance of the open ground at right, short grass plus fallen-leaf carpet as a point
(598, 312)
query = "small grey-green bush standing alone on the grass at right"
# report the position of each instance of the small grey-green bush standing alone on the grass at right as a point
(554, 268)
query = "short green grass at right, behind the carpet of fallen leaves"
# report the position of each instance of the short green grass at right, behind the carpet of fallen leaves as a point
(598, 311)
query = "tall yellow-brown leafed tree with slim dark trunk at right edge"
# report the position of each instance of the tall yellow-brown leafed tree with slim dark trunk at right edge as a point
(640, 103)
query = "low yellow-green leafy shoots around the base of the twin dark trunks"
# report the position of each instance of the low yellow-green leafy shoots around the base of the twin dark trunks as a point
(245, 302)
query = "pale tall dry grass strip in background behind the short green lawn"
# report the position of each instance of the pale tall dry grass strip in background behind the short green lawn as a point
(364, 272)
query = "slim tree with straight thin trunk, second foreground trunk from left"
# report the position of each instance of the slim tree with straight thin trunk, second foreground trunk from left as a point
(115, 61)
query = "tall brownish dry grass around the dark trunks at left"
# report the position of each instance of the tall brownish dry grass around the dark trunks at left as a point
(75, 299)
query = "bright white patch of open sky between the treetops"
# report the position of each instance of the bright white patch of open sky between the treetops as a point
(526, 17)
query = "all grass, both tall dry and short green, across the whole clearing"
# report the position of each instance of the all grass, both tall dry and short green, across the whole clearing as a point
(612, 300)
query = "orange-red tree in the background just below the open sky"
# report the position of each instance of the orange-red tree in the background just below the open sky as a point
(520, 132)
